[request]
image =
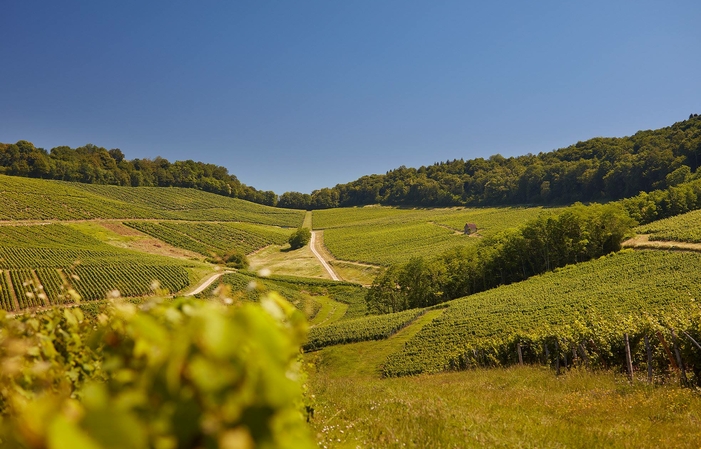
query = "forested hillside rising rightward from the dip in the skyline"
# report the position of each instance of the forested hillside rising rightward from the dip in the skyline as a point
(597, 169)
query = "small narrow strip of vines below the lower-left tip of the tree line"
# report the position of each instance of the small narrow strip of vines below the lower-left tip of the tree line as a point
(359, 329)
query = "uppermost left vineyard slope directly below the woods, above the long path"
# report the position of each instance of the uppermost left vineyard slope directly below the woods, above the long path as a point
(36, 199)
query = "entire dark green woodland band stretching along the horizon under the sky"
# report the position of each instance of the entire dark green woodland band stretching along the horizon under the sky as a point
(594, 170)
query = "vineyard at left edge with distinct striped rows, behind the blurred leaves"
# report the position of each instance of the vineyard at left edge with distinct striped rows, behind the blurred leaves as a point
(39, 261)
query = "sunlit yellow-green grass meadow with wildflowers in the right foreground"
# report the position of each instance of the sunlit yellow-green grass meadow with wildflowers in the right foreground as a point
(518, 407)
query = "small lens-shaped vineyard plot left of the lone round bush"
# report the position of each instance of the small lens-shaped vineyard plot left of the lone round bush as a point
(213, 238)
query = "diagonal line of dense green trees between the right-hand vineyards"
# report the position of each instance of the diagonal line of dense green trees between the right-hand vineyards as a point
(578, 234)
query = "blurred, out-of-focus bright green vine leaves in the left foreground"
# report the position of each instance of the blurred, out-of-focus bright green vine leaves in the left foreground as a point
(189, 374)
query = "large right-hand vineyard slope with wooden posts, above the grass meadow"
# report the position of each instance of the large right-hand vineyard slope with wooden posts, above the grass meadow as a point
(598, 301)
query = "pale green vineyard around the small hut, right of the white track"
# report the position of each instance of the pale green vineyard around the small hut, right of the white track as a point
(384, 235)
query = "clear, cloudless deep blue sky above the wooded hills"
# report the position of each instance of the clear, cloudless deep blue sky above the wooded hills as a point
(299, 95)
